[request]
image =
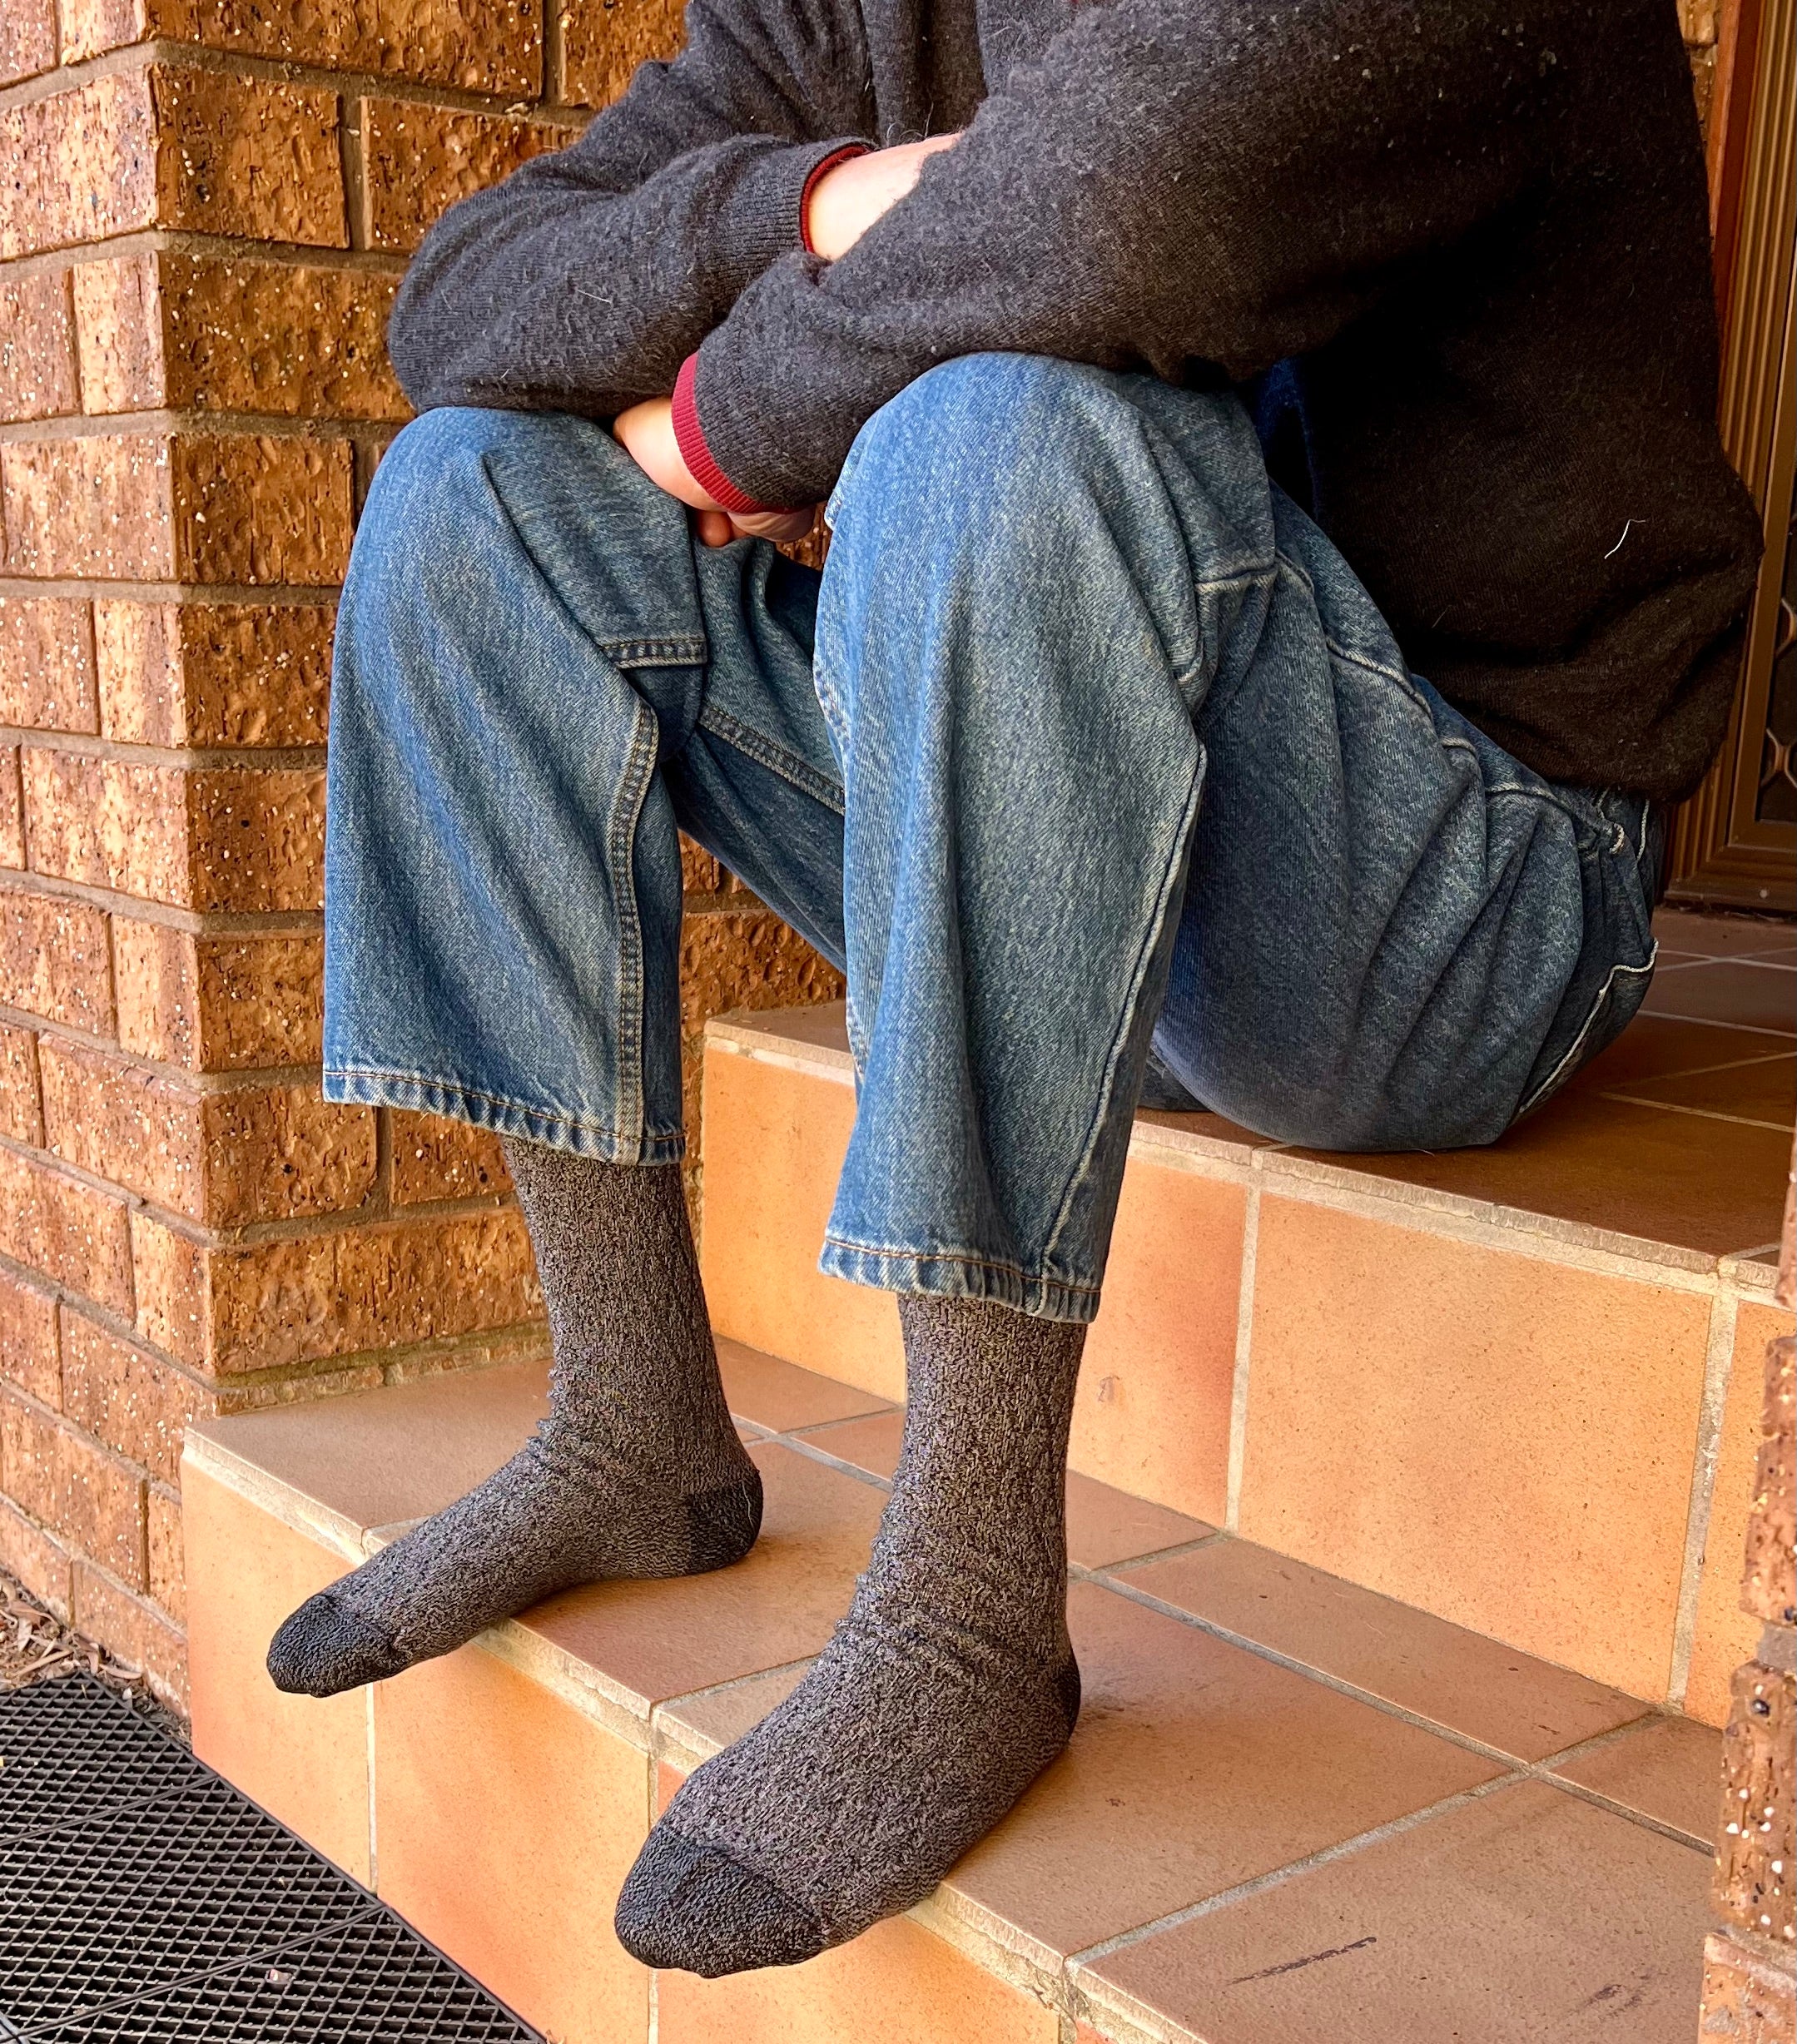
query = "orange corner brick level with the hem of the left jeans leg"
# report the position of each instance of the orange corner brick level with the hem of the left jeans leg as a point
(224, 1158)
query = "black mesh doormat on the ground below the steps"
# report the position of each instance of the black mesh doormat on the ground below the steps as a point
(144, 1898)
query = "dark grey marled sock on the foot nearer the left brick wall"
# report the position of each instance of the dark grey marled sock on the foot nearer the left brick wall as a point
(635, 1473)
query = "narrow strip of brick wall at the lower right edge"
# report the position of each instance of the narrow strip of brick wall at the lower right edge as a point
(1749, 1963)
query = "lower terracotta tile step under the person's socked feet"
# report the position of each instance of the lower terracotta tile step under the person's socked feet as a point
(1293, 1810)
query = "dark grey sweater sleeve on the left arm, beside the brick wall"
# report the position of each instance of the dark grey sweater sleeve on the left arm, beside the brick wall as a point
(584, 279)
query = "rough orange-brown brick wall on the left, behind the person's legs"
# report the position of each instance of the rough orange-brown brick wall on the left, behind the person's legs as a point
(203, 216)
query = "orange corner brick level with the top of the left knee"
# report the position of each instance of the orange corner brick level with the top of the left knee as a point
(197, 508)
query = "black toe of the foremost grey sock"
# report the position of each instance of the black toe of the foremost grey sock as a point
(696, 1910)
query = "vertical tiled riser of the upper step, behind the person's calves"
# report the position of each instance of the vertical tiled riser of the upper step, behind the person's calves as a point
(1514, 1432)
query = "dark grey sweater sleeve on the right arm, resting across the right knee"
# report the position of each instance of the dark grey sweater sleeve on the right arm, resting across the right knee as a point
(1189, 187)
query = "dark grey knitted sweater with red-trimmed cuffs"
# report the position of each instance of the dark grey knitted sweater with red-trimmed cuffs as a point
(1479, 224)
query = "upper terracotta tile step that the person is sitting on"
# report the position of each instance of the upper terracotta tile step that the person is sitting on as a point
(1512, 1387)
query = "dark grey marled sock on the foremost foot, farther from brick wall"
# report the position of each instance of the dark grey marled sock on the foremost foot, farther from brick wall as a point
(937, 1702)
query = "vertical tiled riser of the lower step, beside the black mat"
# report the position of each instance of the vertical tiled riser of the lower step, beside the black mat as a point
(500, 1818)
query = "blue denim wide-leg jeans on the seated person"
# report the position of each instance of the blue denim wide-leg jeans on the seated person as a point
(1085, 743)
